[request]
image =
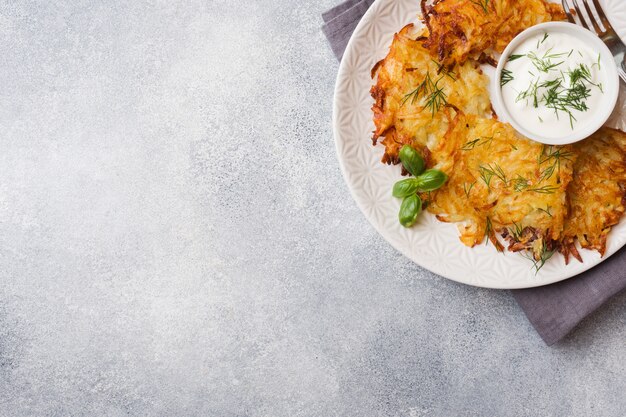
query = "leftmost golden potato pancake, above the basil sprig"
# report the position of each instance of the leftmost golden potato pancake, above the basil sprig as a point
(412, 90)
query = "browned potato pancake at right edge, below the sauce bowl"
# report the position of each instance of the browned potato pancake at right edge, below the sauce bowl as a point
(597, 193)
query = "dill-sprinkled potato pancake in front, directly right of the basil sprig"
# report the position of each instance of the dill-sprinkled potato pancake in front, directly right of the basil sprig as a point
(501, 182)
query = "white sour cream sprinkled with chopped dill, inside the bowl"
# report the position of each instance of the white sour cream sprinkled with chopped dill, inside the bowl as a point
(552, 83)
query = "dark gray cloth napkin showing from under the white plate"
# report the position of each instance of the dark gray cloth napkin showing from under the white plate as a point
(554, 310)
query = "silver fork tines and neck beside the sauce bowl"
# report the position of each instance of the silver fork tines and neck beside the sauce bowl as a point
(608, 35)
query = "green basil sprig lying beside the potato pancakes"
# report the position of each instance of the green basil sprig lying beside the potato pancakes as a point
(408, 188)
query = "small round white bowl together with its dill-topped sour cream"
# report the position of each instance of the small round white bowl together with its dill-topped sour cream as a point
(555, 83)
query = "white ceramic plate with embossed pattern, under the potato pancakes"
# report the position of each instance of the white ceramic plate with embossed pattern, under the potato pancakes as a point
(430, 243)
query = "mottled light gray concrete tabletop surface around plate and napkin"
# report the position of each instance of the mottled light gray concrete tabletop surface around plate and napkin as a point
(176, 238)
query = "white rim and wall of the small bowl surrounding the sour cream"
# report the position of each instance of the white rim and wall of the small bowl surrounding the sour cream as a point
(580, 131)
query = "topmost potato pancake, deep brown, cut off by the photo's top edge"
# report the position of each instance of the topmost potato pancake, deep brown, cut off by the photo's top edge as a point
(463, 29)
